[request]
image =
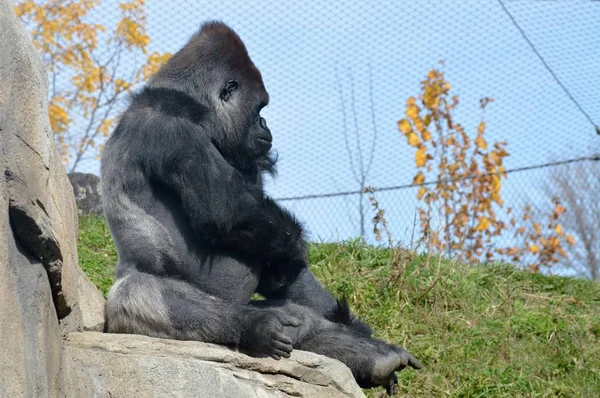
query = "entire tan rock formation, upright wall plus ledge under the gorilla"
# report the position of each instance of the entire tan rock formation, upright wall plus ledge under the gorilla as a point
(50, 309)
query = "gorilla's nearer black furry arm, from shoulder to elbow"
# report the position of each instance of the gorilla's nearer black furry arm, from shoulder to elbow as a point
(224, 207)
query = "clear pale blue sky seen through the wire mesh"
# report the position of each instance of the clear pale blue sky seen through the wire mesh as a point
(312, 54)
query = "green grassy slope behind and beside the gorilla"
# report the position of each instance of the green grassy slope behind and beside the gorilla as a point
(487, 331)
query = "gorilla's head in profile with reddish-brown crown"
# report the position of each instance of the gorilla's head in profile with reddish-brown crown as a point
(214, 68)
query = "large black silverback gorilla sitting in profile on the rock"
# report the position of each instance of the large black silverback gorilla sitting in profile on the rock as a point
(197, 236)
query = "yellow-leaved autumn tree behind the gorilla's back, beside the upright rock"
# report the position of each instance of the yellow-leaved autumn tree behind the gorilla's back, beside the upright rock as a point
(86, 64)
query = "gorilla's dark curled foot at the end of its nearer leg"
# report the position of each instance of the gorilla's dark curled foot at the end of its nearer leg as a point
(264, 333)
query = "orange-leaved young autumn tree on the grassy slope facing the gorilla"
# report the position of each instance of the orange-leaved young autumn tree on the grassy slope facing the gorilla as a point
(459, 178)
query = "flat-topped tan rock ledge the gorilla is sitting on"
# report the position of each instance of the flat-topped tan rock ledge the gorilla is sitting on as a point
(119, 365)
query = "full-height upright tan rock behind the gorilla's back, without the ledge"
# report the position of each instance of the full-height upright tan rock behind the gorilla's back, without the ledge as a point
(40, 282)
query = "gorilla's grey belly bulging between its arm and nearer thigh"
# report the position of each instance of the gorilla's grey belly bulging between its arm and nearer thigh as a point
(227, 278)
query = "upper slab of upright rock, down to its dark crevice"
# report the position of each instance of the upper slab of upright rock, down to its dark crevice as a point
(41, 204)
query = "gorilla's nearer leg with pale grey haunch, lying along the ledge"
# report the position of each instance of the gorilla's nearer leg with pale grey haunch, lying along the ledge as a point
(141, 303)
